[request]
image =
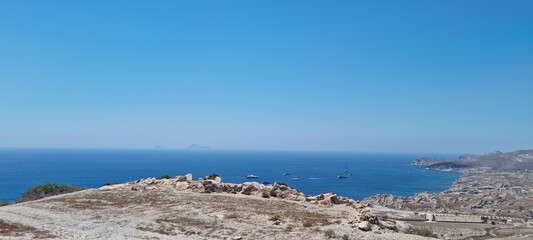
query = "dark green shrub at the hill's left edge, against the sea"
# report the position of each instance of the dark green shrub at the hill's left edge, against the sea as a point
(46, 190)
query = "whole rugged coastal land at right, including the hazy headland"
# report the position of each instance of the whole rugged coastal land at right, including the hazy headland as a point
(493, 198)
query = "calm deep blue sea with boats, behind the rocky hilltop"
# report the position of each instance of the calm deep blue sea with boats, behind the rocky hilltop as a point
(371, 173)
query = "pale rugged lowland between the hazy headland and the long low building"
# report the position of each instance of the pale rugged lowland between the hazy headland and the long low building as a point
(492, 194)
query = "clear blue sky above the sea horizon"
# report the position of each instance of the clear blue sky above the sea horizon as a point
(394, 76)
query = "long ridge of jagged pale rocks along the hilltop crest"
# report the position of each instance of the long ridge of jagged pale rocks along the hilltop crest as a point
(213, 184)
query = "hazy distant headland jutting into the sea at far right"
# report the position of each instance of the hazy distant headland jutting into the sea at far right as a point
(521, 160)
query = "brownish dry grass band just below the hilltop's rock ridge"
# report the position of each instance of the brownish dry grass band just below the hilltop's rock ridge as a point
(162, 201)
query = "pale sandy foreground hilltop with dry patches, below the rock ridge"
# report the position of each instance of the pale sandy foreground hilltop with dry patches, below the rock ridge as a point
(156, 214)
